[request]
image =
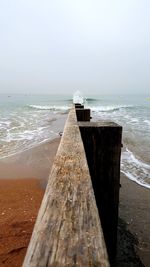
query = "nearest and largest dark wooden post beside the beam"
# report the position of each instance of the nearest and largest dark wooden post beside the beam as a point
(102, 143)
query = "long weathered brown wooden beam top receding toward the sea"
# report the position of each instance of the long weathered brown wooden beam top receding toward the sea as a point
(68, 230)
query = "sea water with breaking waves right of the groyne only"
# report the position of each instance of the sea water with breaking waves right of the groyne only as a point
(133, 114)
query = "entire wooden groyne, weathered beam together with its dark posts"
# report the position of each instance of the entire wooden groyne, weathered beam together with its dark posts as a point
(68, 230)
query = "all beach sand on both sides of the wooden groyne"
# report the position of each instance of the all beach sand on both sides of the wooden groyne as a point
(23, 178)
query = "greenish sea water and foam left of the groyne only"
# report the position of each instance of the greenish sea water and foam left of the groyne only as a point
(28, 120)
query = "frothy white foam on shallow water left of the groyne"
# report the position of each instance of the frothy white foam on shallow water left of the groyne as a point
(33, 128)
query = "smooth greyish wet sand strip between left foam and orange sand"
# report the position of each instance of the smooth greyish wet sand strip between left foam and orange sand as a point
(34, 162)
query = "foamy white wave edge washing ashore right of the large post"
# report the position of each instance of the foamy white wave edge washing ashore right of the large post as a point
(135, 169)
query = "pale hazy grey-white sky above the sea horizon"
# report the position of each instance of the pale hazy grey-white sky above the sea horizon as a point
(56, 46)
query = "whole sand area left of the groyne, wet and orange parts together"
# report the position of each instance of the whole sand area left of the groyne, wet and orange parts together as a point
(23, 178)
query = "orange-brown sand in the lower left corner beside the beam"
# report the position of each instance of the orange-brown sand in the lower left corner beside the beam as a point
(19, 203)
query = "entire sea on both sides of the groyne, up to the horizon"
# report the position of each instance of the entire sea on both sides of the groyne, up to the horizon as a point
(28, 120)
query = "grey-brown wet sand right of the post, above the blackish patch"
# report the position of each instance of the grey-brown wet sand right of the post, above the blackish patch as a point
(134, 210)
